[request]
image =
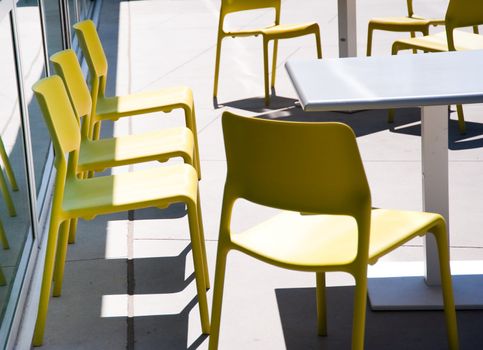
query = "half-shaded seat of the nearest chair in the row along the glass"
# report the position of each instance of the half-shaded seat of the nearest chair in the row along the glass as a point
(154, 187)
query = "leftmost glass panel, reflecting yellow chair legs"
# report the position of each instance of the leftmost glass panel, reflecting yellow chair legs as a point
(14, 198)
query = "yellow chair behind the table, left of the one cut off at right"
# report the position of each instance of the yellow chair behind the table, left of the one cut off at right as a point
(410, 23)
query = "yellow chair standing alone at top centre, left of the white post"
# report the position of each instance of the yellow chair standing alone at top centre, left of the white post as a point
(274, 32)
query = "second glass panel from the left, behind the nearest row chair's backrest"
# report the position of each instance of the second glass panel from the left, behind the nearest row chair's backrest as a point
(29, 29)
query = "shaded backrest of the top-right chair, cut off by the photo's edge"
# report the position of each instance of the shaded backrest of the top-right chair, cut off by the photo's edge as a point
(462, 13)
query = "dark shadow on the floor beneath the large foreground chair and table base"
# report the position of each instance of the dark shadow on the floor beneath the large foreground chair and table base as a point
(384, 329)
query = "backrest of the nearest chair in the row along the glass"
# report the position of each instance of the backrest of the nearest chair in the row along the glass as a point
(58, 114)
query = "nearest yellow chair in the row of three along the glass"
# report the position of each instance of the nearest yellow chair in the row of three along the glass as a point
(87, 198)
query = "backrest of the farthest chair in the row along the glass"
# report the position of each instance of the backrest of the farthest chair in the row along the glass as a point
(91, 46)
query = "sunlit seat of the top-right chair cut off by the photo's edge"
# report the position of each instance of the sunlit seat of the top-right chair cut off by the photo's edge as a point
(438, 43)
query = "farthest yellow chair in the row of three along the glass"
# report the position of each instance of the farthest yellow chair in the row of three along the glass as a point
(115, 107)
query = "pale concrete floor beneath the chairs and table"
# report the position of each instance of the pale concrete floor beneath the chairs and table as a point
(129, 278)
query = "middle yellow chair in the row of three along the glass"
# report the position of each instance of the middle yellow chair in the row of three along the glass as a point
(97, 155)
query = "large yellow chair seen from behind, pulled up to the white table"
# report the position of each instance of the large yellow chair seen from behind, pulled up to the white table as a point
(316, 169)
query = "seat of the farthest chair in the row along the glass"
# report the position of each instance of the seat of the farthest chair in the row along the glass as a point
(144, 102)
